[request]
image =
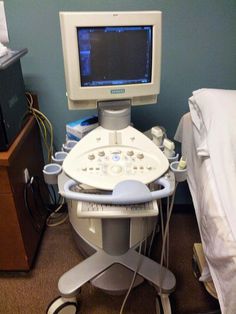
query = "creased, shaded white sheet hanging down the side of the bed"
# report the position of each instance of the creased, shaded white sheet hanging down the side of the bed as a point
(217, 239)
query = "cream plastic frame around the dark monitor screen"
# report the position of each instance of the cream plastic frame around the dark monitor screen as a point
(70, 21)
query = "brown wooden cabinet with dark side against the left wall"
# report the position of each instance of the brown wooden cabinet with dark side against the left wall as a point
(20, 231)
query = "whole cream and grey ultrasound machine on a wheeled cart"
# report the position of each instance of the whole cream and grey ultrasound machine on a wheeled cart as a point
(113, 178)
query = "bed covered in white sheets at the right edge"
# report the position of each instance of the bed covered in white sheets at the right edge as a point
(208, 137)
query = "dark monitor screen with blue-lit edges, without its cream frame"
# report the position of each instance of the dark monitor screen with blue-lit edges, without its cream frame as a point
(117, 55)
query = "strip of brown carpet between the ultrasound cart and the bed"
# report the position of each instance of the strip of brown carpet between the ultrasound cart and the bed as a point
(190, 296)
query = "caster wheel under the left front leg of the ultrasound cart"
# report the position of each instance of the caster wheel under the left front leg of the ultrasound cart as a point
(63, 306)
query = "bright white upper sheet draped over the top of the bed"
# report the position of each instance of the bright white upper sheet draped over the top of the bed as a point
(213, 113)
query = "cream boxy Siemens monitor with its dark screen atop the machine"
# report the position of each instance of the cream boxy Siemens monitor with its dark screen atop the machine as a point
(111, 56)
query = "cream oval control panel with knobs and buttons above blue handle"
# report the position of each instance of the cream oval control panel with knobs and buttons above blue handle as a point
(104, 166)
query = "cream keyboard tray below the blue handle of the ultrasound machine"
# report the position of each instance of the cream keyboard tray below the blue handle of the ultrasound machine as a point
(94, 210)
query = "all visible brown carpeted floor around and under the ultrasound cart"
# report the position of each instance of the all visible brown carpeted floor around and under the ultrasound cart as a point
(30, 293)
